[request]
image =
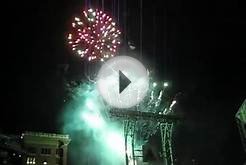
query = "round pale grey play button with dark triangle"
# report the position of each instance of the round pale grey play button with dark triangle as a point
(122, 82)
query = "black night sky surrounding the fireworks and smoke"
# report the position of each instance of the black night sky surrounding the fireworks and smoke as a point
(198, 46)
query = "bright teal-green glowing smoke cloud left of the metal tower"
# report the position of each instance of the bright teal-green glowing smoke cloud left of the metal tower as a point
(95, 139)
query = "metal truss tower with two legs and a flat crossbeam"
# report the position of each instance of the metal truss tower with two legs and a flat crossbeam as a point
(130, 118)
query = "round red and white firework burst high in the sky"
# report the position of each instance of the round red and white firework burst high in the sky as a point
(94, 35)
